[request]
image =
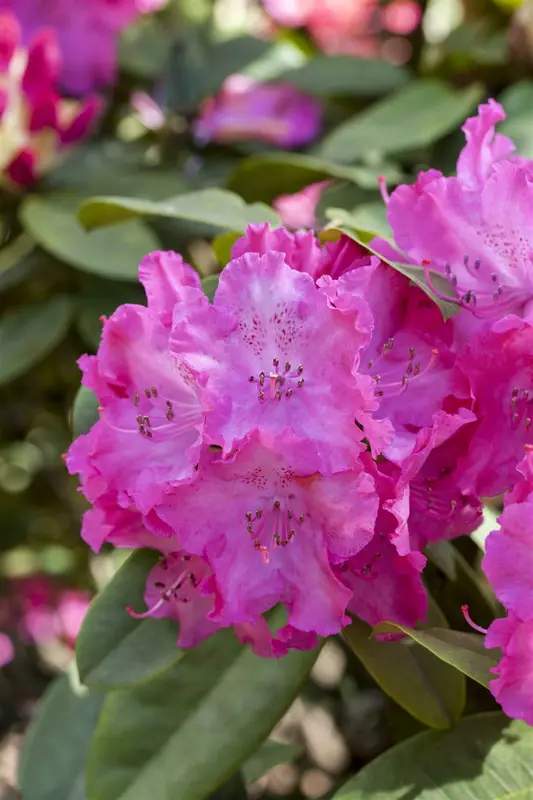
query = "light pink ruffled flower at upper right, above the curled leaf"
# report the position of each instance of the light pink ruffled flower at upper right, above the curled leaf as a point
(476, 228)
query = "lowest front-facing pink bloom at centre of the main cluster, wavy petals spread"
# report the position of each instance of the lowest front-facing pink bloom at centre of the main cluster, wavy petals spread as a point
(277, 528)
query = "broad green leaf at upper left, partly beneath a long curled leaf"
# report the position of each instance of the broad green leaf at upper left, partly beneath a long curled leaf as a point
(52, 222)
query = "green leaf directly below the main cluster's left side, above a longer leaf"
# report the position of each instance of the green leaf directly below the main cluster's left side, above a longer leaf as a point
(114, 650)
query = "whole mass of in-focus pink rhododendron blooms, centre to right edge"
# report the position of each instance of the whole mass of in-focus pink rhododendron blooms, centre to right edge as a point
(301, 439)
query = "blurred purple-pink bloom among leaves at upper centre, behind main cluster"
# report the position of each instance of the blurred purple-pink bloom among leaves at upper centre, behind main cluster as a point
(275, 113)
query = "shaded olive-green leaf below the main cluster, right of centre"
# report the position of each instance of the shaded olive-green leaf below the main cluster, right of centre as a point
(430, 690)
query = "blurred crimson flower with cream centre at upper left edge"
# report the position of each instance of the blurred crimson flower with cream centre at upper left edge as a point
(36, 124)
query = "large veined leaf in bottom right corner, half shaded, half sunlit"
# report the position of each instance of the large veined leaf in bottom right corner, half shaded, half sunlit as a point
(486, 757)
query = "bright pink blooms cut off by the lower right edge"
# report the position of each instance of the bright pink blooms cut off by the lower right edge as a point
(508, 564)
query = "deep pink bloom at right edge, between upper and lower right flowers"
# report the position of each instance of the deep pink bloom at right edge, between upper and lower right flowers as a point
(497, 367)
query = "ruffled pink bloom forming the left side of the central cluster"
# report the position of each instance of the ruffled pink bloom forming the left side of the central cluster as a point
(149, 434)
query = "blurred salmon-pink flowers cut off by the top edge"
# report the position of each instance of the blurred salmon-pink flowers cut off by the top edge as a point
(347, 26)
